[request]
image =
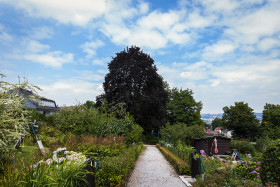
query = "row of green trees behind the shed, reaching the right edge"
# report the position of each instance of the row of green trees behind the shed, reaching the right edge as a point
(241, 119)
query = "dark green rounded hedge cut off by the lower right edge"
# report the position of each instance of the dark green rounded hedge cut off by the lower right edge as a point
(270, 163)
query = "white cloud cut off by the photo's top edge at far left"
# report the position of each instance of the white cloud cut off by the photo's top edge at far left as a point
(65, 11)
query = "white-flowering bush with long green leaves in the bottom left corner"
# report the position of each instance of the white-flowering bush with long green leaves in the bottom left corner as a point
(65, 168)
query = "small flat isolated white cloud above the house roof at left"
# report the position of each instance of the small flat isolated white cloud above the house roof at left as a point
(53, 59)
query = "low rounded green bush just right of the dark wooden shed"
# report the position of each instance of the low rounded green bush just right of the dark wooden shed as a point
(243, 147)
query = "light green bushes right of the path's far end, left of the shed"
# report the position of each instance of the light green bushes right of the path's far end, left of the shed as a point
(180, 131)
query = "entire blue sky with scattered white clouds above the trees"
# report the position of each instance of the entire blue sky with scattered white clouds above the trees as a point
(225, 51)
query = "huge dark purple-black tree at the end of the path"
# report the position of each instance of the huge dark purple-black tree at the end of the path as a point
(133, 80)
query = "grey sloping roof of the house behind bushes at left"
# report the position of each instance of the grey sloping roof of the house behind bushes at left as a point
(36, 102)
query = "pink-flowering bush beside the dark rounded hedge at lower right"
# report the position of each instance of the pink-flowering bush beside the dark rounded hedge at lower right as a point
(249, 170)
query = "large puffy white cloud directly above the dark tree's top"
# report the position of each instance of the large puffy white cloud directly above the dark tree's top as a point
(154, 31)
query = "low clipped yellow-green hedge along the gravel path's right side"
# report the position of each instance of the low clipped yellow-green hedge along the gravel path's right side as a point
(181, 166)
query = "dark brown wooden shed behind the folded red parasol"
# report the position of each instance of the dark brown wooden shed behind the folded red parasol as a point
(207, 144)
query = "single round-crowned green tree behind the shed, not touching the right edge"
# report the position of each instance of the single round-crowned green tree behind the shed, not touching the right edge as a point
(241, 119)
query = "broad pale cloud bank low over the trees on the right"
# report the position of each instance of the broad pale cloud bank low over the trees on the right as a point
(255, 82)
